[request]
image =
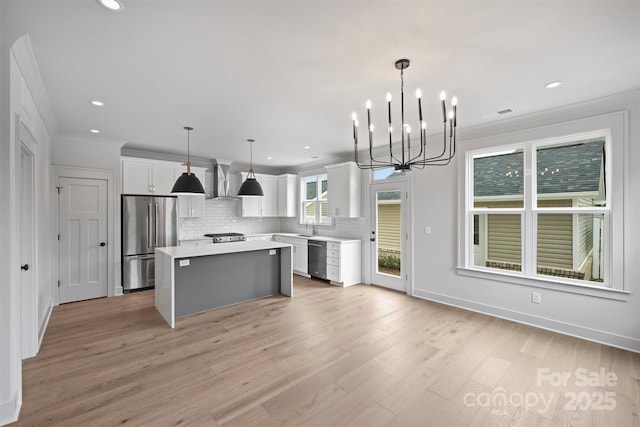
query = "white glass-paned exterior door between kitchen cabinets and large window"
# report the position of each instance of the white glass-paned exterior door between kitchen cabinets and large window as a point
(389, 234)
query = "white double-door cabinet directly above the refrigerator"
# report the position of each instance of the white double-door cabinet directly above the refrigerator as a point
(144, 176)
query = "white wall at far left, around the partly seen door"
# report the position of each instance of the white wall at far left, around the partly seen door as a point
(21, 100)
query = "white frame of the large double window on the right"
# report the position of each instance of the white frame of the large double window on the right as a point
(612, 127)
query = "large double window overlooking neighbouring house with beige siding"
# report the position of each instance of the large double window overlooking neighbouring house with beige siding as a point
(544, 210)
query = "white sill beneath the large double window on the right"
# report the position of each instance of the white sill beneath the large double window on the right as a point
(544, 283)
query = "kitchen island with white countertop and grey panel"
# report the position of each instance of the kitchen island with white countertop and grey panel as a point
(193, 279)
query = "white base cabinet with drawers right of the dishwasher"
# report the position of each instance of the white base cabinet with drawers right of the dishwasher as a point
(344, 263)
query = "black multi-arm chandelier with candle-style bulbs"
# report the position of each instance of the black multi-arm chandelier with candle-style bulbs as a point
(405, 160)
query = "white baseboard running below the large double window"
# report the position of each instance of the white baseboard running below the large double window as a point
(602, 337)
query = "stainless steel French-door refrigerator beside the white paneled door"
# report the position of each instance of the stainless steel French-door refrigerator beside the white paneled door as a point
(147, 222)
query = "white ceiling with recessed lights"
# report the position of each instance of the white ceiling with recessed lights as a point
(289, 73)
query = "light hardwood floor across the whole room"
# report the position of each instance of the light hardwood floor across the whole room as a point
(361, 355)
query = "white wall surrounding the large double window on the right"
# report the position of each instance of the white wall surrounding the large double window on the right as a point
(435, 256)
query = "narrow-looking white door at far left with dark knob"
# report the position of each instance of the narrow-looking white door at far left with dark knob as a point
(28, 284)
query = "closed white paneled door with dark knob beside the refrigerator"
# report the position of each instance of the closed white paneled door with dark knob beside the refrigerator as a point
(83, 238)
